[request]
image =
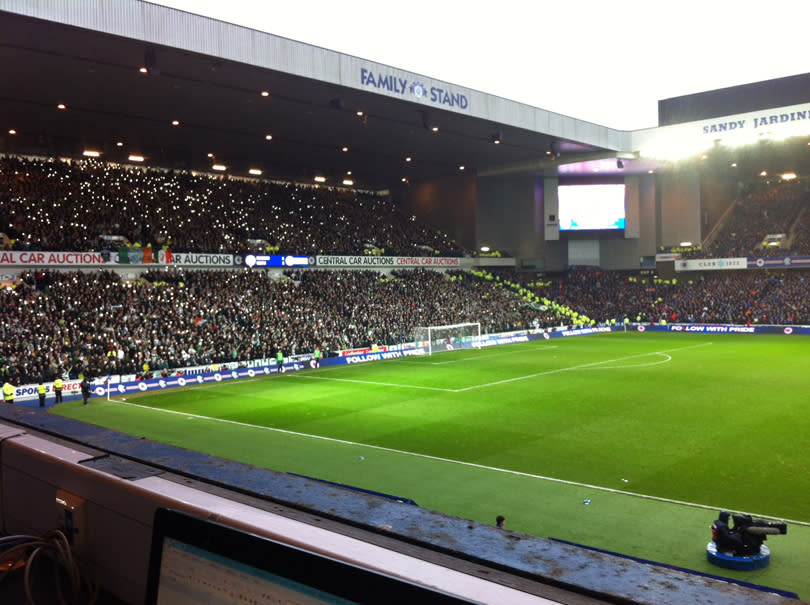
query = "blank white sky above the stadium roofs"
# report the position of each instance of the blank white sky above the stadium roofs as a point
(604, 61)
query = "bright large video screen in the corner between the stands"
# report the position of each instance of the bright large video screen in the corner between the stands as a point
(591, 207)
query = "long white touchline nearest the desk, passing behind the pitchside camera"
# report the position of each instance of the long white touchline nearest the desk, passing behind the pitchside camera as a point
(449, 461)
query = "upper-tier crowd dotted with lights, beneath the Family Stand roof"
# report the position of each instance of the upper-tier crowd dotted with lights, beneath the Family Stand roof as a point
(67, 206)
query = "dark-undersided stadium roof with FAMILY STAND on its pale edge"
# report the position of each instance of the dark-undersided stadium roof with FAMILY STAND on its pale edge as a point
(125, 71)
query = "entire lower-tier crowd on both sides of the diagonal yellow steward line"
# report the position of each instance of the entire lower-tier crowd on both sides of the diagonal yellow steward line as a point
(67, 323)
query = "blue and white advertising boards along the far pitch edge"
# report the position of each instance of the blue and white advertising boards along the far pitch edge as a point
(122, 385)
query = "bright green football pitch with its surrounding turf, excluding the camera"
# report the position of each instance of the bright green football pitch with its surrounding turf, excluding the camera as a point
(657, 431)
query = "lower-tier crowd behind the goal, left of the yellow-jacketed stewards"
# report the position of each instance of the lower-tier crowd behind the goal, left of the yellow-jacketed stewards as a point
(56, 323)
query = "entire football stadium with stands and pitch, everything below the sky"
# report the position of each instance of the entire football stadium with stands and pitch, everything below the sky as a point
(281, 324)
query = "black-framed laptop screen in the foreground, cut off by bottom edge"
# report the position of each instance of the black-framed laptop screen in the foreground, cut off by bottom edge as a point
(195, 560)
